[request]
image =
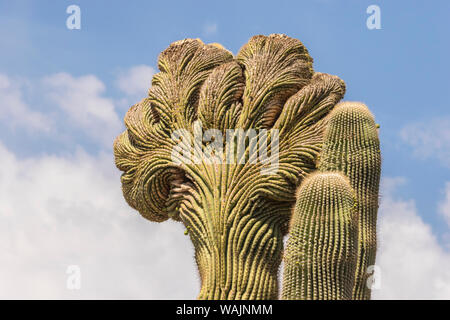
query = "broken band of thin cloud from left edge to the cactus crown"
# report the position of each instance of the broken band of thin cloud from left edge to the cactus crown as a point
(68, 105)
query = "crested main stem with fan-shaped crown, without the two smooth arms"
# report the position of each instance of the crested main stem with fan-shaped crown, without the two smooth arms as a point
(235, 216)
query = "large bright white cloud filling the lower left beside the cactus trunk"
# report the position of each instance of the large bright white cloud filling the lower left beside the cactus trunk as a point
(57, 211)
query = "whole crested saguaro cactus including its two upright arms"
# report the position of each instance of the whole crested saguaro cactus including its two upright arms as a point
(237, 196)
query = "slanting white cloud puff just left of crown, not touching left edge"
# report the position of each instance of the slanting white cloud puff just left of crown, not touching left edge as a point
(81, 98)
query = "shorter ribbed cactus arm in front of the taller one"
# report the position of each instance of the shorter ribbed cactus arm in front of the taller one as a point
(320, 254)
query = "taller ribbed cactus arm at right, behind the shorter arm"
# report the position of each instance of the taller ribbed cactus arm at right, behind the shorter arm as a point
(352, 147)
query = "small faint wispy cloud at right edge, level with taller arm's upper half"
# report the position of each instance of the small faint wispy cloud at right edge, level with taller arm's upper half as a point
(429, 139)
